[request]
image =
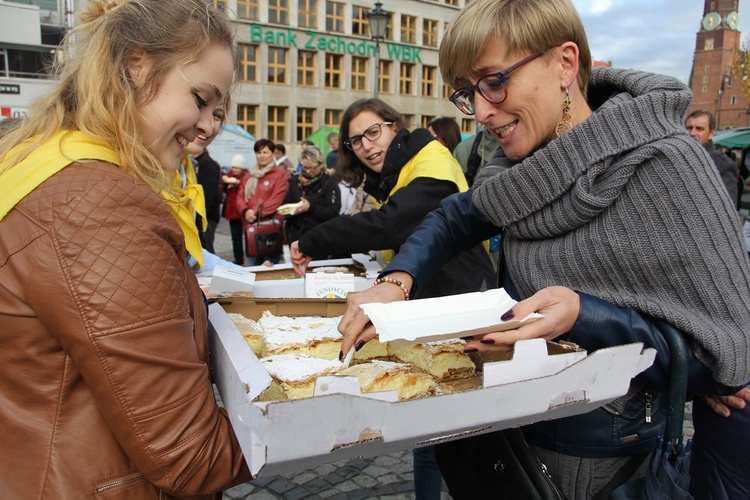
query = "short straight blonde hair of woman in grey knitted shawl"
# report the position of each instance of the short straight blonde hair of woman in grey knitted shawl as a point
(525, 26)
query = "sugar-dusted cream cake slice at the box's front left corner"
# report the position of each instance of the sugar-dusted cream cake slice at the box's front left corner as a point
(294, 375)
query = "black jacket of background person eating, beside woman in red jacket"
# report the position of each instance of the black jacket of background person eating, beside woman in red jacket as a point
(325, 203)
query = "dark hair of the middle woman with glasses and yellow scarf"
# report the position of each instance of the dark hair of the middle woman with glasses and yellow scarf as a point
(350, 169)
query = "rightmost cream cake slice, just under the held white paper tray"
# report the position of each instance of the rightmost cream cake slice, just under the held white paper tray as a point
(444, 360)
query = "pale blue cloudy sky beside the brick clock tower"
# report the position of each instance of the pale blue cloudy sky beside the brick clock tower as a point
(650, 35)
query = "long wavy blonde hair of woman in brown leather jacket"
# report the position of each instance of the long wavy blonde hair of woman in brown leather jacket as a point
(94, 92)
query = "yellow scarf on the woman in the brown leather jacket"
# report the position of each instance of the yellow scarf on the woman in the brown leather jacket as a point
(59, 151)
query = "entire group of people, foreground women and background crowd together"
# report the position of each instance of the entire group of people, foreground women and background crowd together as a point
(614, 210)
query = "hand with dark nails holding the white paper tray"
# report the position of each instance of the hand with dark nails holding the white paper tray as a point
(559, 306)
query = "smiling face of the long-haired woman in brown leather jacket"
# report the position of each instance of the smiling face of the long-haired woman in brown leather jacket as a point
(188, 105)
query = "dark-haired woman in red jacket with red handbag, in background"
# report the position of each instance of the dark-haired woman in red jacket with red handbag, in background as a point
(265, 191)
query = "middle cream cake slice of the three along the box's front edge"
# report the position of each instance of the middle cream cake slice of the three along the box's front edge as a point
(379, 376)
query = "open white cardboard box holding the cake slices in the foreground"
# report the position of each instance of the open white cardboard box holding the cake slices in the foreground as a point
(286, 436)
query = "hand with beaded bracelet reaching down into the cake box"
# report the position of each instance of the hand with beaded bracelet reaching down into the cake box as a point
(355, 326)
